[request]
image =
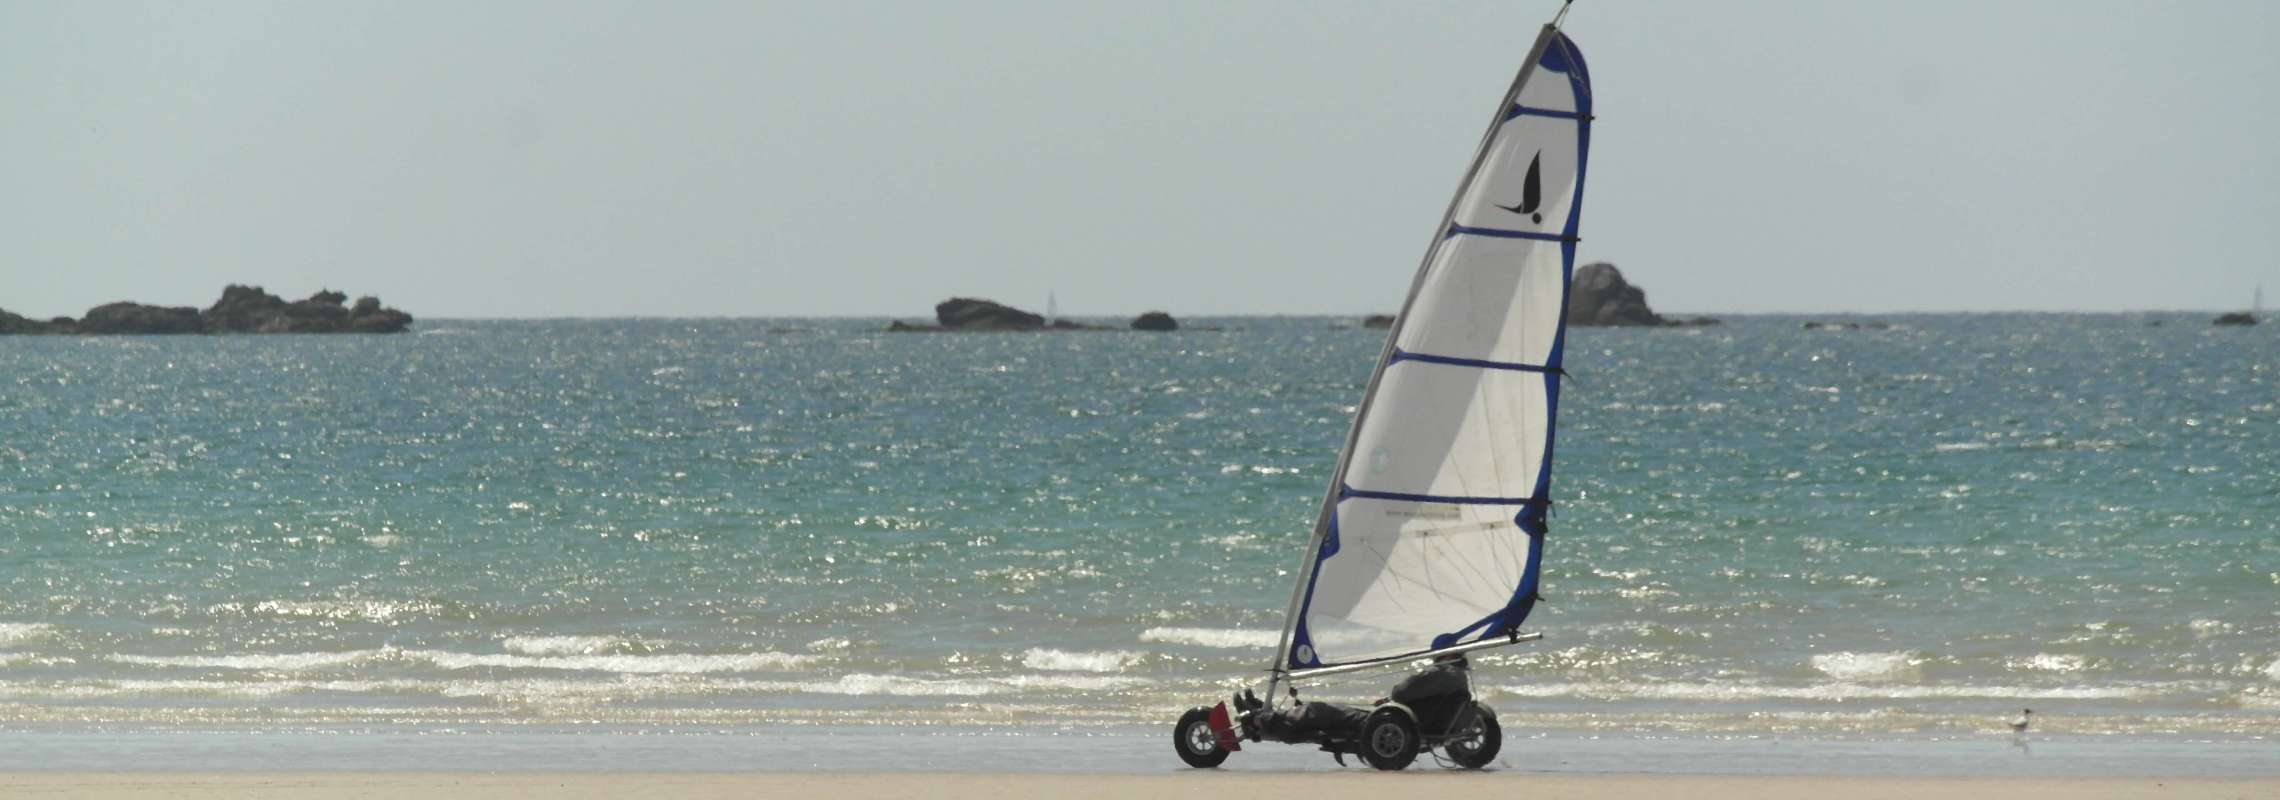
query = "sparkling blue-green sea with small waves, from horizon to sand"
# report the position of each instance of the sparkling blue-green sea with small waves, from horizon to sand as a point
(811, 544)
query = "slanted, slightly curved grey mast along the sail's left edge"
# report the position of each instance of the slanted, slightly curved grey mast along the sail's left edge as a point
(1280, 669)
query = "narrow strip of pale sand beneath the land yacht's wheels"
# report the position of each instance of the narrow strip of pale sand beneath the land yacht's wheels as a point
(1096, 787)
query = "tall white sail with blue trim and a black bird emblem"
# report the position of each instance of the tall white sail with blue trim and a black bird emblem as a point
(1433, 530)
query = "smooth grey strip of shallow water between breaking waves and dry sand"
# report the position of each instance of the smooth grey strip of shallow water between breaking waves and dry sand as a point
(1127, 751)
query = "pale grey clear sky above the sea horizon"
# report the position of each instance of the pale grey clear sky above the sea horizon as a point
(521, 158)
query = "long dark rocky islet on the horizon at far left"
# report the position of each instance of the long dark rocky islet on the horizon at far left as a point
(238, 311)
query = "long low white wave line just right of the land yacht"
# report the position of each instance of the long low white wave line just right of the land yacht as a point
(1825, 692)
